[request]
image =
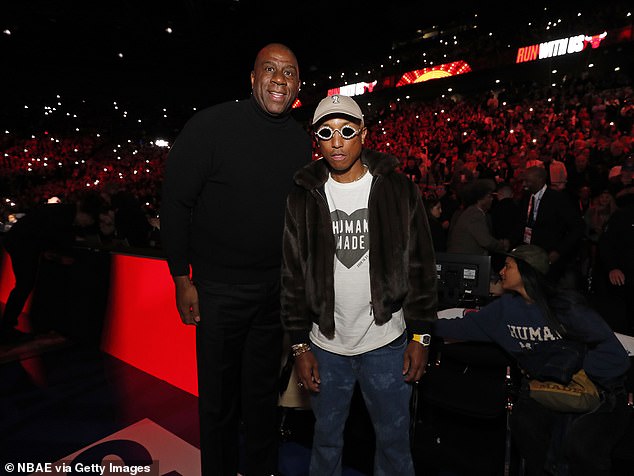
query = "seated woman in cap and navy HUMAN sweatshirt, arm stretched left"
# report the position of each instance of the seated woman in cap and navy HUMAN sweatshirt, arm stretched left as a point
(534, 322)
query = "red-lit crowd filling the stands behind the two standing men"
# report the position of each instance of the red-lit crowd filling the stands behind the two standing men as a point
(449, 141)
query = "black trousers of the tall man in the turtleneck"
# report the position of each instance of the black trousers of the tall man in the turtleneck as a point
(239, 351)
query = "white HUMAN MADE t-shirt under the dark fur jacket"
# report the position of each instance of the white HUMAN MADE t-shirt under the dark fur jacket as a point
(355, 329)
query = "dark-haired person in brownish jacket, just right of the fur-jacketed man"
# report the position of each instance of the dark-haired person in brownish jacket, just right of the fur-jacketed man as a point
(470, 231)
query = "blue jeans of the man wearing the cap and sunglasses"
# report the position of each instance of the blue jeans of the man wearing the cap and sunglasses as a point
(387, 398)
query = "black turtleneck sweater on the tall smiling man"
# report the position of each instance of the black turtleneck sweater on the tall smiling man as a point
(224, 192)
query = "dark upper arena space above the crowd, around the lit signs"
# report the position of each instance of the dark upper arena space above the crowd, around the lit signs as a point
(71, 48)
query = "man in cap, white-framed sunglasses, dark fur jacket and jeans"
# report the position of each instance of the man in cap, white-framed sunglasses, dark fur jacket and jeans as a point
(358, 288)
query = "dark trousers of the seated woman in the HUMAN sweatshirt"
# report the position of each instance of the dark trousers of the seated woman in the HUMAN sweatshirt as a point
(553, 443)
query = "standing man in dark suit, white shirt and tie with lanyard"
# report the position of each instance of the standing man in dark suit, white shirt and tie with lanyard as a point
(552, 223)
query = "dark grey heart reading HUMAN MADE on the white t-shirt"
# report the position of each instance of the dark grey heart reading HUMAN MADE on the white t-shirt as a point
(352, 238)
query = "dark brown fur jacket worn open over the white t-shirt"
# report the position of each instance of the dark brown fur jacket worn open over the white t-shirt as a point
(402, 259)
